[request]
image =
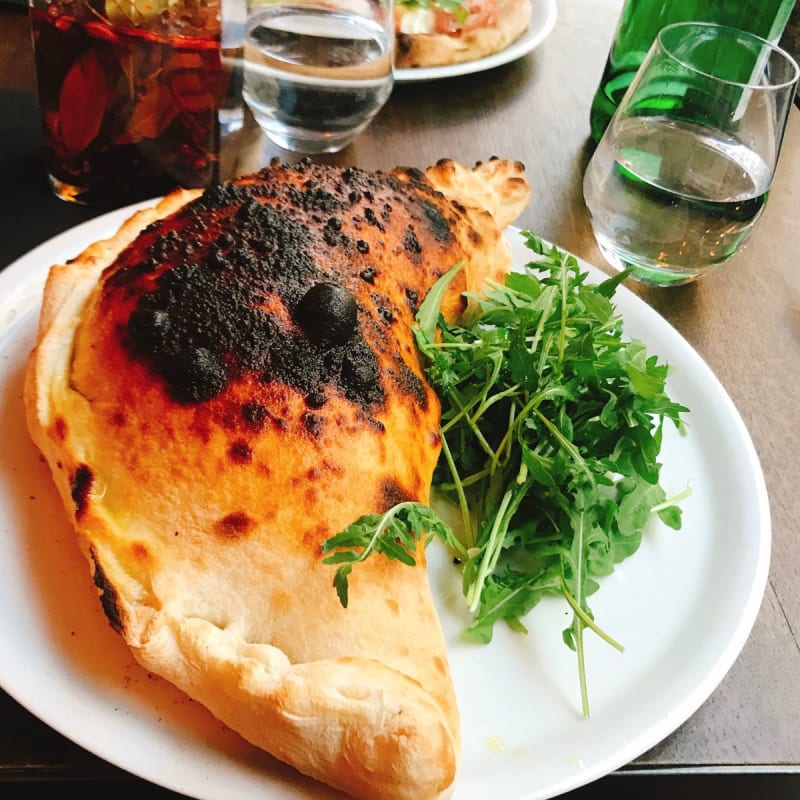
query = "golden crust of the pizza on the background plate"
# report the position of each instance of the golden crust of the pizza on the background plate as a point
(434, 50)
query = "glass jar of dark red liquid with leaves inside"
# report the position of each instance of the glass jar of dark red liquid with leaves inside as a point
(131, 93)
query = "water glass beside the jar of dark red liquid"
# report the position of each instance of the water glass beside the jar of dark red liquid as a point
(316, 72)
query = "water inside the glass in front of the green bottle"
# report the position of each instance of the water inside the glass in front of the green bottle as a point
(673, 197)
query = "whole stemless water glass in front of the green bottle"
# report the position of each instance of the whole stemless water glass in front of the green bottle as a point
(682, 173)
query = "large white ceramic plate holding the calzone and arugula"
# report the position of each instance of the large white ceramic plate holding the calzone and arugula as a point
(524, 737)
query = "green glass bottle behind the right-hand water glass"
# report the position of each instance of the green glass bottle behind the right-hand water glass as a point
(640, 22)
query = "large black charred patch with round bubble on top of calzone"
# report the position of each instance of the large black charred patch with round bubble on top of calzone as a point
(206, 321)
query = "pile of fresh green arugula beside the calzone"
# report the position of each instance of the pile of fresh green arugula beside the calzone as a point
(551, 431)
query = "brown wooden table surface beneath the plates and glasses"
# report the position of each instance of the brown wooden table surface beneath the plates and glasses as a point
(744, 320)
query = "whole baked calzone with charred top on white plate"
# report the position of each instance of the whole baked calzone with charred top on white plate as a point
(227, 382)
